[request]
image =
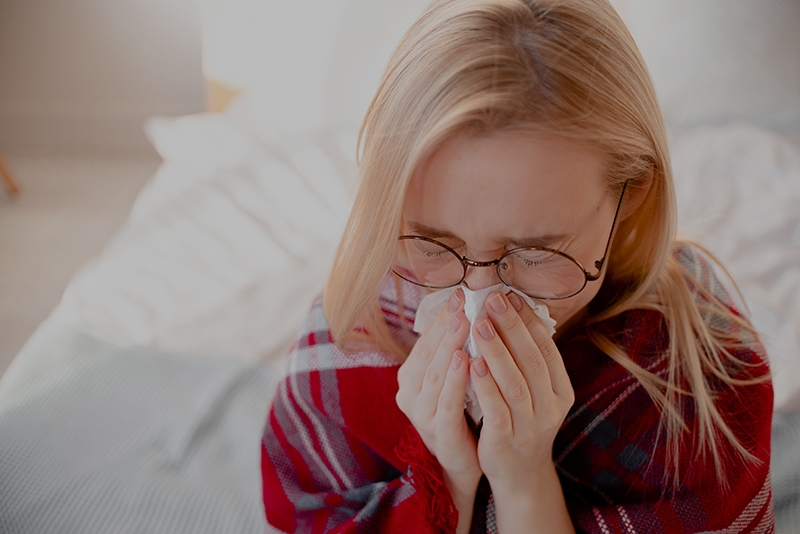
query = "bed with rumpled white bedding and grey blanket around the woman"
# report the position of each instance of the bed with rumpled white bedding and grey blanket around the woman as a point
(138, 405)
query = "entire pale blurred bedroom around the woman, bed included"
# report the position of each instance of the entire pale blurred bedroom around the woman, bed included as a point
(166, 264)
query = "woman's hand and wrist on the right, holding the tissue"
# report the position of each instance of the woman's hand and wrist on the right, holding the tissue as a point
(525, 394)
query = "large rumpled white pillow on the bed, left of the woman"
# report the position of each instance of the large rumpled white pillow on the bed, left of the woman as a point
(227, 246)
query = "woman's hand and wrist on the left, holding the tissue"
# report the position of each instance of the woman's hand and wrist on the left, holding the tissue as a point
(433, 382)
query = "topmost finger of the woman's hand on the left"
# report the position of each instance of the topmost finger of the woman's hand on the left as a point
(412, 372)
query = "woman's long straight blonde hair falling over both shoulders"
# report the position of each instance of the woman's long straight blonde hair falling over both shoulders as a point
(566, 68)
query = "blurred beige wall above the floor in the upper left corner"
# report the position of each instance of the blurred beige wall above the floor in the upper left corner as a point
(88, 72)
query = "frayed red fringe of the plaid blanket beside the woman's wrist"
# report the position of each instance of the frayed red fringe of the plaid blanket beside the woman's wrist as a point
(427, 477)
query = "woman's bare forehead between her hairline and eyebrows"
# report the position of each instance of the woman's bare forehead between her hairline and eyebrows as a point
(513, 181)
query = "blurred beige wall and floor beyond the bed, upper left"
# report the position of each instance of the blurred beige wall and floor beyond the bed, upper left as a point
(77, 81)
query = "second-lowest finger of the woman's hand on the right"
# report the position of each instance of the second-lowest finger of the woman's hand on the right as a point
(506, 374)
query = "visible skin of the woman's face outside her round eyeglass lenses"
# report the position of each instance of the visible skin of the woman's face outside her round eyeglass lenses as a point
(486, 194)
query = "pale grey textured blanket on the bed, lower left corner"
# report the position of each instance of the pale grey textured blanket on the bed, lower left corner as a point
(100, 438)
